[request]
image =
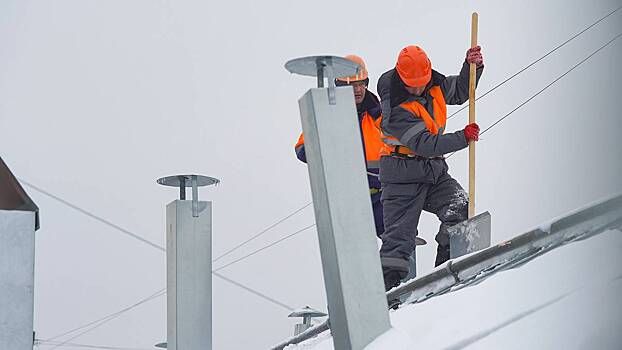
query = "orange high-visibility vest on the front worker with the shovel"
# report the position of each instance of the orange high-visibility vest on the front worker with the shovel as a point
(434, 125)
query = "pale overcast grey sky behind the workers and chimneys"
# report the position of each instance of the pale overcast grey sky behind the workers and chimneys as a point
(100, 98)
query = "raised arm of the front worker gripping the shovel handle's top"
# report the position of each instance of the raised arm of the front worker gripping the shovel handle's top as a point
(456, 87)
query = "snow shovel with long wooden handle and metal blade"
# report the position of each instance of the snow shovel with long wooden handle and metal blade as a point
(474, 234)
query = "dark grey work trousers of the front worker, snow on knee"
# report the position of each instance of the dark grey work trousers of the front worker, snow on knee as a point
(442, 195)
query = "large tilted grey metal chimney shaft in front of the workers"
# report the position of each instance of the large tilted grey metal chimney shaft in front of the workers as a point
(357, 304)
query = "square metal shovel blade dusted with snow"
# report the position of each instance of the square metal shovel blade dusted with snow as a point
(470, 236)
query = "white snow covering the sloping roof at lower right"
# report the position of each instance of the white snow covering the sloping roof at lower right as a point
(568, 298)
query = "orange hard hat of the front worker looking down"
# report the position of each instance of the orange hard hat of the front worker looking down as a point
(414, 67)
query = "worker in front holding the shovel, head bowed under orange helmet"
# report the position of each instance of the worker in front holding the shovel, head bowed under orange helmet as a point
(413, 171)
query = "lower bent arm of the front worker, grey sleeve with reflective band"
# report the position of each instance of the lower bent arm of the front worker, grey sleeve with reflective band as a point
(411, 131)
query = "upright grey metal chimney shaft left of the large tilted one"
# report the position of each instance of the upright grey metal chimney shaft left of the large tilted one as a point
(189, 275)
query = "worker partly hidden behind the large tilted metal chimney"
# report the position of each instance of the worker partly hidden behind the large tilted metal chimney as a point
(369, 118)
